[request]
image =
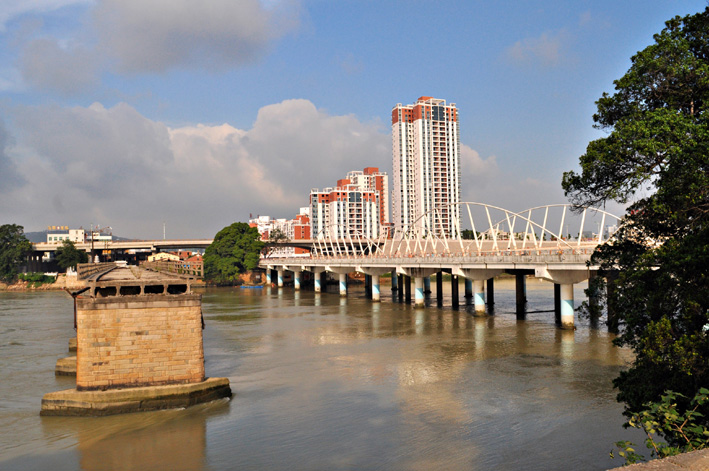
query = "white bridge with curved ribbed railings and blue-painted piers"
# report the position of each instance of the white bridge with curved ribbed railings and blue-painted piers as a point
(529, 242)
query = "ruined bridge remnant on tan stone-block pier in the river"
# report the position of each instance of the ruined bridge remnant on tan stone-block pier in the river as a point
(139, 346)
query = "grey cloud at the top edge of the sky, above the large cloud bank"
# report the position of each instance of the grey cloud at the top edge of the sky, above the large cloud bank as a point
(158, 35)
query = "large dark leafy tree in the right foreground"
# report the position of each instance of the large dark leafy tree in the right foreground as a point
(656, 157)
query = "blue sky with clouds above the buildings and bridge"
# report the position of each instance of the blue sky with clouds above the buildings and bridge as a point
(187, 116)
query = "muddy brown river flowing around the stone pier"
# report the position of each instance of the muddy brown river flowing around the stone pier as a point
(322, 382)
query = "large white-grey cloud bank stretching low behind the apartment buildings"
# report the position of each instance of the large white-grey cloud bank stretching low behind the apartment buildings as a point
(115, 167)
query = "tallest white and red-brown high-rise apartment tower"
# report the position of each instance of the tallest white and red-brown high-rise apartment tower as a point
(426, 152)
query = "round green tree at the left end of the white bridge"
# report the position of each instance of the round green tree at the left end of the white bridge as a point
(235, 250)
